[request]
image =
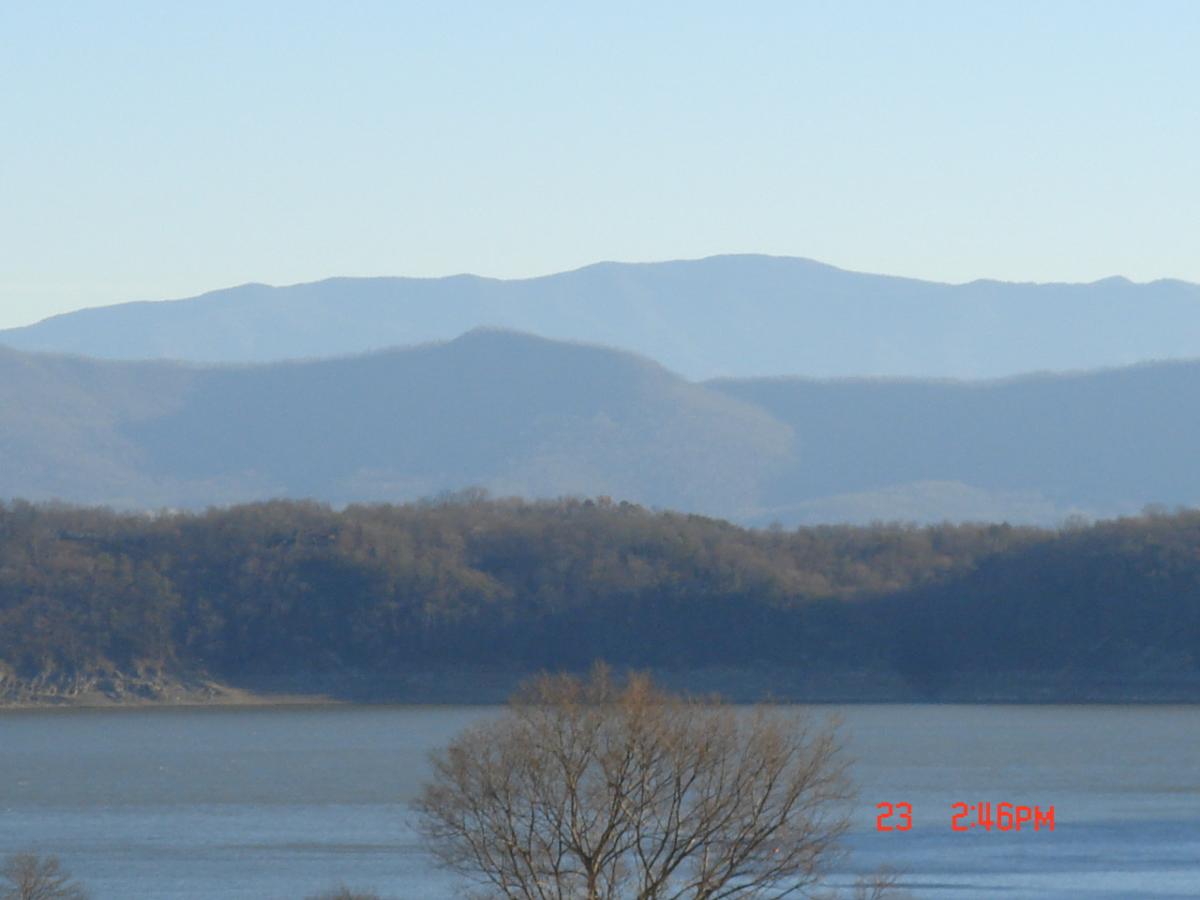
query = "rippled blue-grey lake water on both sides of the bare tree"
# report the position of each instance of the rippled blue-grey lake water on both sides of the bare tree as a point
(175, 805)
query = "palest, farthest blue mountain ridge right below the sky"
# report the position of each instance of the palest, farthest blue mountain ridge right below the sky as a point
(737, 316)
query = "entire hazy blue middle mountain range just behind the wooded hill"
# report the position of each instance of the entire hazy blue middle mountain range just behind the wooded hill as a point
(532, 417)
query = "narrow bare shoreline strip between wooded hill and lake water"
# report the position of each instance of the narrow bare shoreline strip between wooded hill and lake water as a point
(493, 687)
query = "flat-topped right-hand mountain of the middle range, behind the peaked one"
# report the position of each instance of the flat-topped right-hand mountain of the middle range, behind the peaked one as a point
(1099, 443)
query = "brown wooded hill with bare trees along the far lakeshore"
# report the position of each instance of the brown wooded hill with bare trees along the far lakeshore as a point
(296, 590)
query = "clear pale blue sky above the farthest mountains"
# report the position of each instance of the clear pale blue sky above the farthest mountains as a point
(163, 149)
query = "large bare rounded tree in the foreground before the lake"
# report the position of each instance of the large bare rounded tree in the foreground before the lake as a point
(589, 791)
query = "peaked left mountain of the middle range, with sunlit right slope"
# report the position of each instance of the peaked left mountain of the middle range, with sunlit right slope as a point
(515, 413)
